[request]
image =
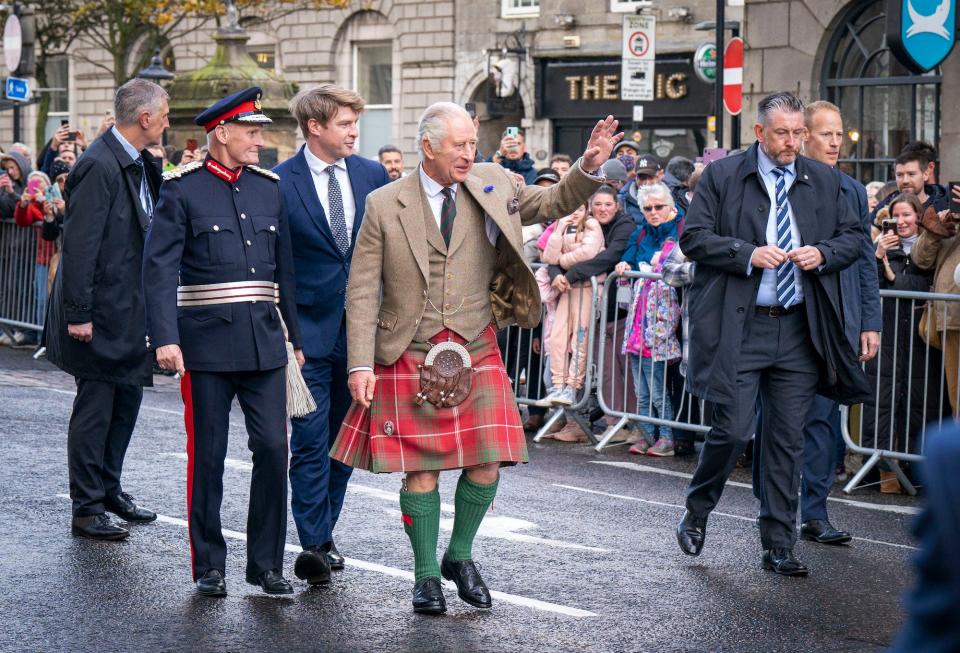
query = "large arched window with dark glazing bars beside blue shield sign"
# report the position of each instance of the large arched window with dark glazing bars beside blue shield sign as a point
(884, 106)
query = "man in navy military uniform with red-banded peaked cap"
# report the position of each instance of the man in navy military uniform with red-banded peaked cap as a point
(217, 265)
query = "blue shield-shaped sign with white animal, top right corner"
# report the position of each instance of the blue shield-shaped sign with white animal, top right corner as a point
(921, 33)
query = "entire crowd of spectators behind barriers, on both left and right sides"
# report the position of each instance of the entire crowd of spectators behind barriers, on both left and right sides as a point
(632, 223)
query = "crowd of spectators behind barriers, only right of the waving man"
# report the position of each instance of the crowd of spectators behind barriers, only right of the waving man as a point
(633, 224)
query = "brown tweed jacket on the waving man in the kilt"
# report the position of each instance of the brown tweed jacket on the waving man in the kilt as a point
(393, 273)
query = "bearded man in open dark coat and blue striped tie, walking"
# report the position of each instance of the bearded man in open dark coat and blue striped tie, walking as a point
(769, 231)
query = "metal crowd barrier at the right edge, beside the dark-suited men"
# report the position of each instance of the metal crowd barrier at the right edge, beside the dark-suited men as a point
(912, 386)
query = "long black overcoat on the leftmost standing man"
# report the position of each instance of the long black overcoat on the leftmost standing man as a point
(99, 278)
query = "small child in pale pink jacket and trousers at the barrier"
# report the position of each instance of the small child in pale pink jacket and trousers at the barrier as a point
(574, 239)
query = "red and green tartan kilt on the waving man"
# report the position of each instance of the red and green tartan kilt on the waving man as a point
(484, 429)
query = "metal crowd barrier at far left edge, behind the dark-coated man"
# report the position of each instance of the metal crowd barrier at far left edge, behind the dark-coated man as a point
(18, 277)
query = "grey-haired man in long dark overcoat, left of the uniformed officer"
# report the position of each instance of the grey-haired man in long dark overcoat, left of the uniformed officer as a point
(95, 327)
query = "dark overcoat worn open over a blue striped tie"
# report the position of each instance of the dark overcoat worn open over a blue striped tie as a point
(727, 221)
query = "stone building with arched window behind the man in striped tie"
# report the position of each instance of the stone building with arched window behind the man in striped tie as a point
(808, 46)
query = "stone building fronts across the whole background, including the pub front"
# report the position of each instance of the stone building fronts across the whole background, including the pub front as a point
(403, 55)
